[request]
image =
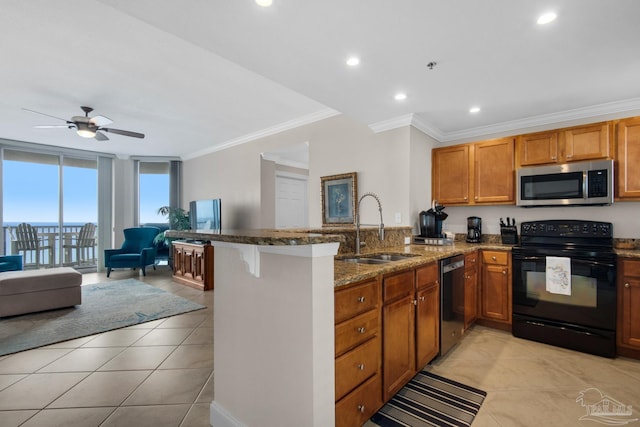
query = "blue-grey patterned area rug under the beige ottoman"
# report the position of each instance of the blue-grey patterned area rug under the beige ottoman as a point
(105, 306)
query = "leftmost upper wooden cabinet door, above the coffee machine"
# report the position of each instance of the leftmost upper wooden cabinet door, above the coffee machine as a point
(451, 174)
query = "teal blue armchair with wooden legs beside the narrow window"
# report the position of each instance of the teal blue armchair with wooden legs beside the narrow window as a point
(138, 250)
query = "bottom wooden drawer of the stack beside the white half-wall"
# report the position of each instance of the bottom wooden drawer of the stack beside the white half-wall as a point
(358, 406)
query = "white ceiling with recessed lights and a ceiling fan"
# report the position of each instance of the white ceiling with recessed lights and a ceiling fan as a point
(201, 75)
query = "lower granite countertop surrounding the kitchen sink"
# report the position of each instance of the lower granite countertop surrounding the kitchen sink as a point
(347, 272)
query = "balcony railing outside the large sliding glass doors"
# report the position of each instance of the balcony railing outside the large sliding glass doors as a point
(58, 247)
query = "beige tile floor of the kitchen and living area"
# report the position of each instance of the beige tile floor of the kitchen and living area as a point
(161, 374)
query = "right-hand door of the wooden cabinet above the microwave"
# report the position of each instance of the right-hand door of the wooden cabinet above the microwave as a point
(586, 143)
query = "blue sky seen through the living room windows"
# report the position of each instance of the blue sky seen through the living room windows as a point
(30, 194)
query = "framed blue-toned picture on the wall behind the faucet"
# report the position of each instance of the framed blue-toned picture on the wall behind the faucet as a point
(339, 194)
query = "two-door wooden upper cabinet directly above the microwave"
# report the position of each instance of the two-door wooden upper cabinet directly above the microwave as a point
(566, 145)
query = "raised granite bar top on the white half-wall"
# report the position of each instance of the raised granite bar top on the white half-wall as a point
(258, 237)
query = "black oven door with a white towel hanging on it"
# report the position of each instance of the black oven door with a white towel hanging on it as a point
(591, 297)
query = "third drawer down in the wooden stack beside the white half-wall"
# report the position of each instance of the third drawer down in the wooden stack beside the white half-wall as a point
(354, 367)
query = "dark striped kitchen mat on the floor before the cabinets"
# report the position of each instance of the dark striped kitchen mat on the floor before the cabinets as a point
(431, 400)
